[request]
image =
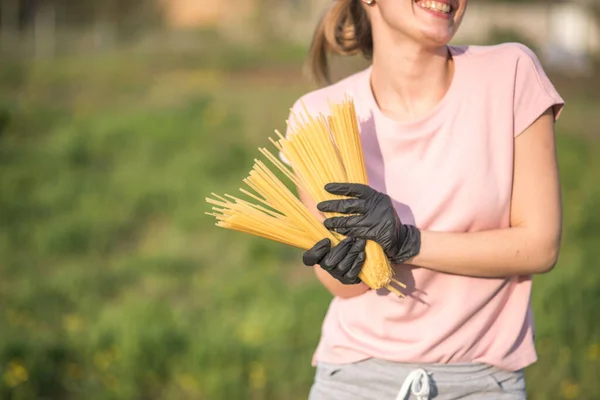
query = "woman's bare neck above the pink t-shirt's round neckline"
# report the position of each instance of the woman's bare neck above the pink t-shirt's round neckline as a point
(408, 80)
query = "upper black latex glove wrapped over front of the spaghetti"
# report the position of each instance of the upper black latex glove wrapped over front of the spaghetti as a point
(375, 219)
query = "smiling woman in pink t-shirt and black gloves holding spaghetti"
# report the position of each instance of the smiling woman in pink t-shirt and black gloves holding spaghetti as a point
(463, 196)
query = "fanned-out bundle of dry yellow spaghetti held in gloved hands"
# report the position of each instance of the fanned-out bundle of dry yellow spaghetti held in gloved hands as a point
(320, 150)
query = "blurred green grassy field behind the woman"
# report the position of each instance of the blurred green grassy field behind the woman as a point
(115, 285)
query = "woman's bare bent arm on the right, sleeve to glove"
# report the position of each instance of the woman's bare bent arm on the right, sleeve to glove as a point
(531, 244)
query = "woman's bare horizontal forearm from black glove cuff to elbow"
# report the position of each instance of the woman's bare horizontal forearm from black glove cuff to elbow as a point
(488, 254)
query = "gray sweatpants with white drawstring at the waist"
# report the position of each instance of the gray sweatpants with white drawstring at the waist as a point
(374, 379)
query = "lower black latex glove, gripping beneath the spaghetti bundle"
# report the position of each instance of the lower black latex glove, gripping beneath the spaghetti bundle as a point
(344, 261)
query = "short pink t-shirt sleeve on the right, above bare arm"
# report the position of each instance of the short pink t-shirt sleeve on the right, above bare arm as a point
(534, 93)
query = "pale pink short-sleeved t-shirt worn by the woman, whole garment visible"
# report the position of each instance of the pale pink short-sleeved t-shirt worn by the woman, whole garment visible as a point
(450, 170)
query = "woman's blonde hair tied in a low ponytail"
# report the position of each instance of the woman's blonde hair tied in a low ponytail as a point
(344, 29)
